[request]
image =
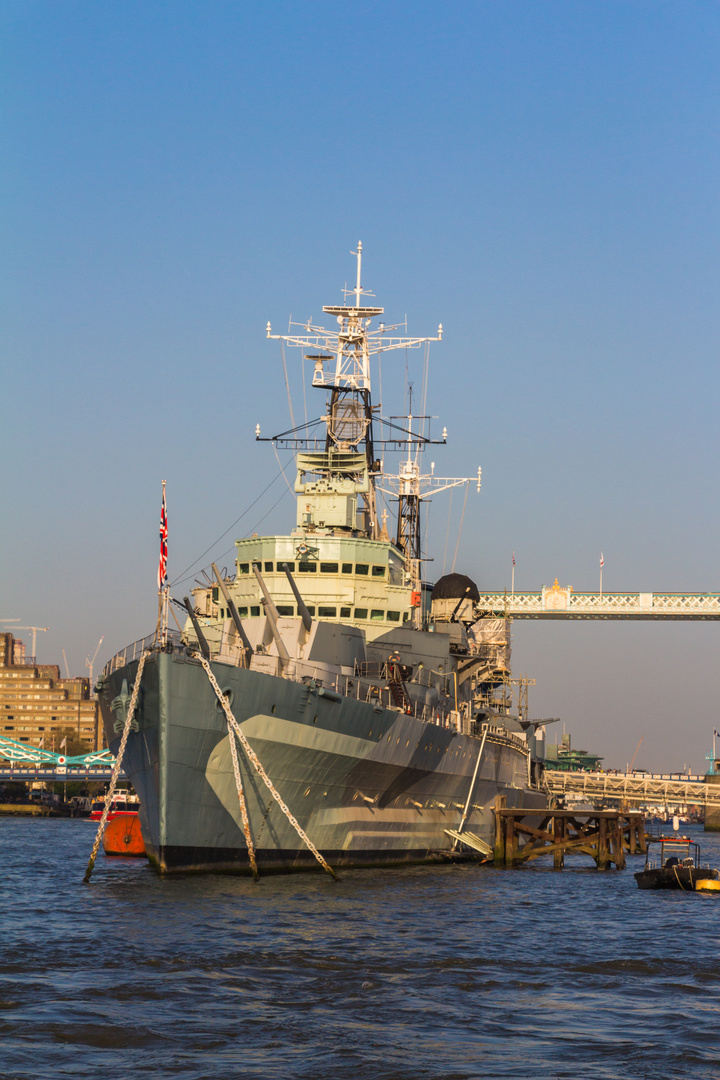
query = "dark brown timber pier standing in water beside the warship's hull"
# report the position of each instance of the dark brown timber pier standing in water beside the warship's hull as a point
(604, 835)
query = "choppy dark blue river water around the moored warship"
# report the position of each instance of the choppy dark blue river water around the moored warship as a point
(399, 975)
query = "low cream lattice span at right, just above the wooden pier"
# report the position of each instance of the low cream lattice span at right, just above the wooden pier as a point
(656, 789)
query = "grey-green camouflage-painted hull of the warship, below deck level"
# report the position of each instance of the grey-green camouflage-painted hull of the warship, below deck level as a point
(370, 786)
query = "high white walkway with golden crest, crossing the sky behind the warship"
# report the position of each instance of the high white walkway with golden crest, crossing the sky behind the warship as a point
(563, 602)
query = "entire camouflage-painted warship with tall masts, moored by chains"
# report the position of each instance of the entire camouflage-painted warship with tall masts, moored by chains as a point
(324, 704)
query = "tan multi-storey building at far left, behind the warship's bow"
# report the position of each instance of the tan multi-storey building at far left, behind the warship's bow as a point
(36, 703)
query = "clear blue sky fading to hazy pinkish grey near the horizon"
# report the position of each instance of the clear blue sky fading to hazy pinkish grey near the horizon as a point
(541, 178)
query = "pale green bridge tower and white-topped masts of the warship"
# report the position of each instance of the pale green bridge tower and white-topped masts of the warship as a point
(342, 556)
